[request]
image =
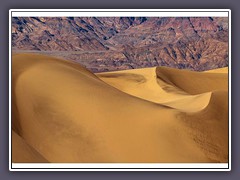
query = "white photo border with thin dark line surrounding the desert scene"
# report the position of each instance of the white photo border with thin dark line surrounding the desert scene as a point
(120, 166)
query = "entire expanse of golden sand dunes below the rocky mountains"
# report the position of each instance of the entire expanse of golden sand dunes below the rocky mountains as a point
(61, 112)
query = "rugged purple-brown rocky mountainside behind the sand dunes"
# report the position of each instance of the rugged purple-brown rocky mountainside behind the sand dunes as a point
(116, 43)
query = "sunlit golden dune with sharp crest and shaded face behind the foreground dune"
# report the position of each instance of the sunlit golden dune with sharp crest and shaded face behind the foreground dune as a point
(160, 85)
